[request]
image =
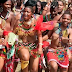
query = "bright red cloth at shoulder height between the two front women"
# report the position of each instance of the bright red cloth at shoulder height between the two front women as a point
(40, 25)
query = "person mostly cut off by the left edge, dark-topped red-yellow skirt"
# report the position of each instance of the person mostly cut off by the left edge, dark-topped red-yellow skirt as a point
(3, 49)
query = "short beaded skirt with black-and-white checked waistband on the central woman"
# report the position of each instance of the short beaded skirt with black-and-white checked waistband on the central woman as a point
(33, 50)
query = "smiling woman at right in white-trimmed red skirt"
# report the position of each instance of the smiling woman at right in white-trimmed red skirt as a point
(57, 51)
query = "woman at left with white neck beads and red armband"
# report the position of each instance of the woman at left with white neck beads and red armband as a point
(8, 21)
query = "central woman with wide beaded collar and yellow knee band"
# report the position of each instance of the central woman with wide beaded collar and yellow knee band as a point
(28, 50)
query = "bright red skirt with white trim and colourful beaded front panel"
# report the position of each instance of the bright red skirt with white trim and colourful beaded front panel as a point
(59, 55)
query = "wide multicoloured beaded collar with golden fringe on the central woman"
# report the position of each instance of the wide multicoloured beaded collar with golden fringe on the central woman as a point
(25, 30)
